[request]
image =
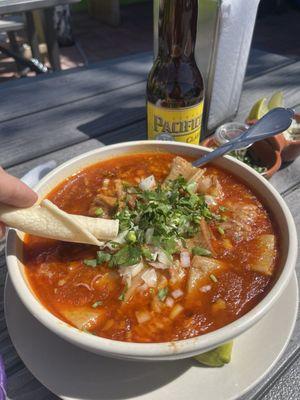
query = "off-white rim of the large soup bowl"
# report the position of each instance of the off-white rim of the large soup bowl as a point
(162, 350)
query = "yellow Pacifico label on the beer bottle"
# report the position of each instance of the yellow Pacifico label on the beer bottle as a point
(183, 124)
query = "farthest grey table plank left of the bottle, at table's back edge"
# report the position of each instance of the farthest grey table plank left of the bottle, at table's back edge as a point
(70, 86)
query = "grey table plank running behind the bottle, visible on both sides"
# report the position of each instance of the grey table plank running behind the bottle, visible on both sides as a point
(68, 124)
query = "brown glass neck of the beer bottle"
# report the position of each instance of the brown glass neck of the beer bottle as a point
(177, 28)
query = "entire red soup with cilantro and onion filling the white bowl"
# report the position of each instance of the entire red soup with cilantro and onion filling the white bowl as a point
(196, 250)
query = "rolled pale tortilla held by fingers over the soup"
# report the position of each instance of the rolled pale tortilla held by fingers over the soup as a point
(49, 221)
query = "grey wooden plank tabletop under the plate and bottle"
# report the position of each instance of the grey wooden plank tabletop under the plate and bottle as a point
(59, 116)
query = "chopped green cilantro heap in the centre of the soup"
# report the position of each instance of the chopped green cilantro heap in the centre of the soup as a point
(172, 211)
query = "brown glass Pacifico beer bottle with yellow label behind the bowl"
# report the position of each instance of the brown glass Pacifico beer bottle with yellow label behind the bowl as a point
(175, 89)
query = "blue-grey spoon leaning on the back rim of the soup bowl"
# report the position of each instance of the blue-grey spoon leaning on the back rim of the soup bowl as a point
(275, 121)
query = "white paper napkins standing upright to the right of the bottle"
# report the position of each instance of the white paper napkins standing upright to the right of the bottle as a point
(237, 20)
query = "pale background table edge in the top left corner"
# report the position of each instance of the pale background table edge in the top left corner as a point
(16, 6)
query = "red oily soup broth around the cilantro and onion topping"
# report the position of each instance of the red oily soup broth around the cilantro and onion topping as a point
(67, 287)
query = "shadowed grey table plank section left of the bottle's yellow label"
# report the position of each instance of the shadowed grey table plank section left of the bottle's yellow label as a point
(34, 135)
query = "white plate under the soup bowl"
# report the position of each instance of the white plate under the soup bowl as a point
(73, 374)
